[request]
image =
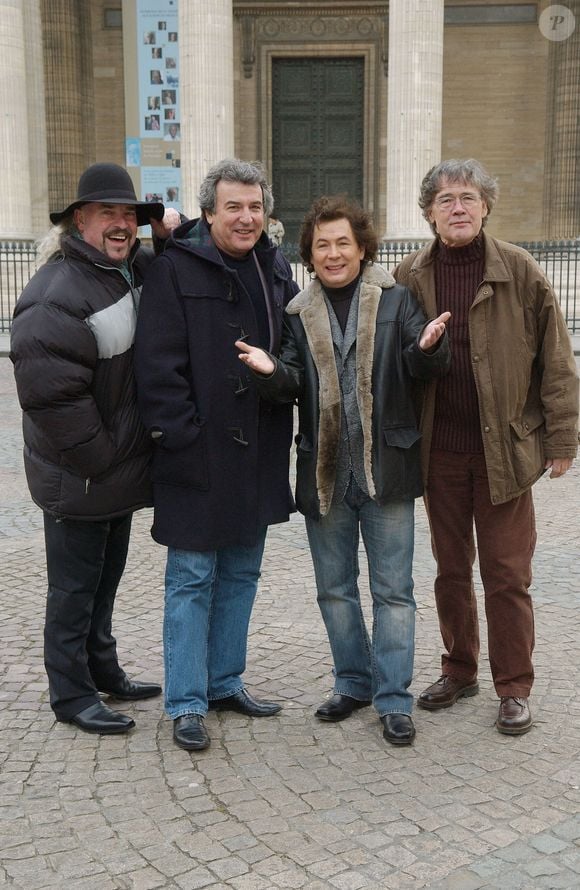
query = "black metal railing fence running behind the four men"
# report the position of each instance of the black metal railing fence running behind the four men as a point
(559, 259)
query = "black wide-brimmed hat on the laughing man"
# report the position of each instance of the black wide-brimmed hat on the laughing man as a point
(110, 184)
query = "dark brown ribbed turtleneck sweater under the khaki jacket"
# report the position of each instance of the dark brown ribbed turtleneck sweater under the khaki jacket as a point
(458, 275)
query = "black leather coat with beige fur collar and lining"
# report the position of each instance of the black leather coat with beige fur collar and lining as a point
(389, 363)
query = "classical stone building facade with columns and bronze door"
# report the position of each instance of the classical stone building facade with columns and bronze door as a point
(361, 97)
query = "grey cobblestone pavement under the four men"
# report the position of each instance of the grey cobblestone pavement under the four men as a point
(285, 802)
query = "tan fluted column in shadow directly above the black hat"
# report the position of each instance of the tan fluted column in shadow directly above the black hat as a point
(68, 69)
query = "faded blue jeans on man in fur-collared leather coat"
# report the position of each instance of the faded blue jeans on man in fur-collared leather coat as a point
(380, 669)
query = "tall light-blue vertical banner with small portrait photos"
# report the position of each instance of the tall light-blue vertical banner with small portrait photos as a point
(154, 127)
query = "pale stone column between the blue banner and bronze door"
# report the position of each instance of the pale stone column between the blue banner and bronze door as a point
(206, 91)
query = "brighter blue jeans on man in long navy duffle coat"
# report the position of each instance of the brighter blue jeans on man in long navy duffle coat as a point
(208, 603)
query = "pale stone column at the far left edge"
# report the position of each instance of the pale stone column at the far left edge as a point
(23, 156)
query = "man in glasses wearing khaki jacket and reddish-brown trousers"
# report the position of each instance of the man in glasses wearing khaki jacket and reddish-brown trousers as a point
(506, 413)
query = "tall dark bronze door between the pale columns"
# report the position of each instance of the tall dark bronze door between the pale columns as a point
(317, 133)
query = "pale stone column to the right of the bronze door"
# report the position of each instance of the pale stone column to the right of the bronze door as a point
(415, 92)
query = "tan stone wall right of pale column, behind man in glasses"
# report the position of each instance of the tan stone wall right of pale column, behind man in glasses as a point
(494, 109)
